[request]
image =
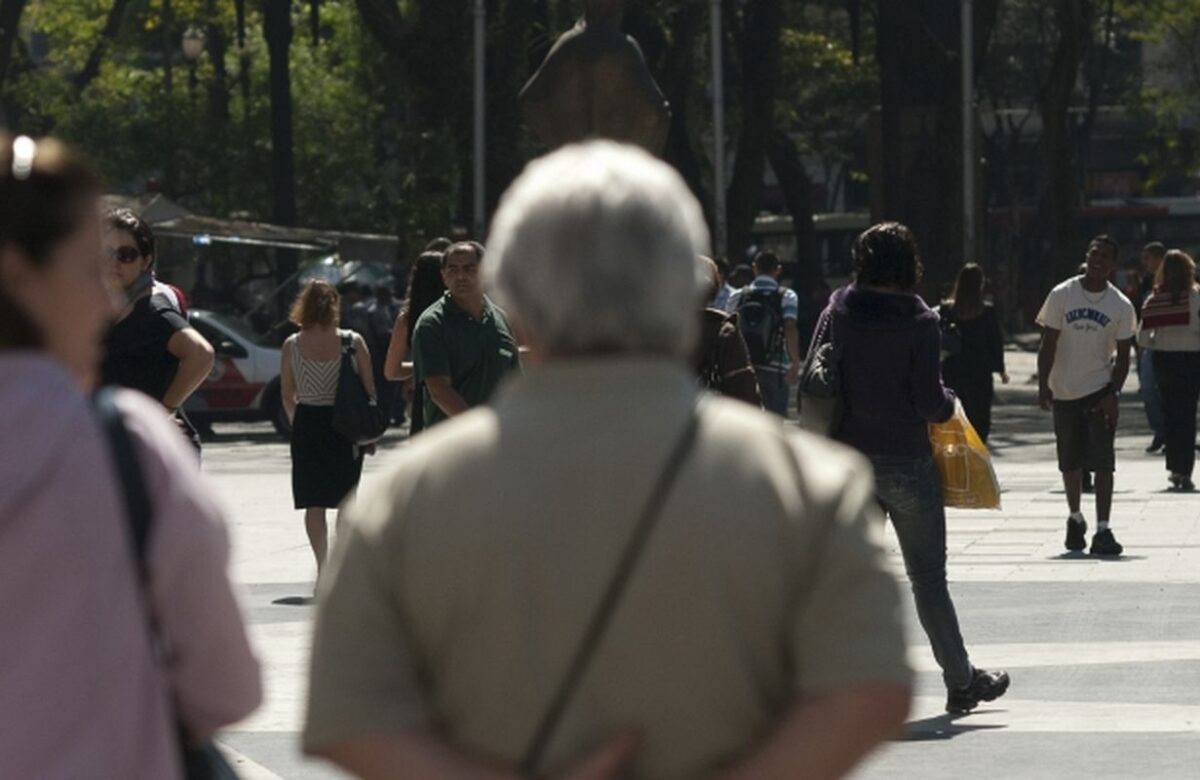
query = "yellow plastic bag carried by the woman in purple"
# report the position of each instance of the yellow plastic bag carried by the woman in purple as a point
(969, 481)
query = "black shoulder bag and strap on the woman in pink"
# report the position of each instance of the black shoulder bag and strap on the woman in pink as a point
(201, 761)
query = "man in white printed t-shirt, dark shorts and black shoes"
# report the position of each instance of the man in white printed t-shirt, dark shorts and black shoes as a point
(1088, 328)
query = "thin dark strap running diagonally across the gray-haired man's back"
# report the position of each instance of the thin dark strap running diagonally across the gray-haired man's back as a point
(611, 598)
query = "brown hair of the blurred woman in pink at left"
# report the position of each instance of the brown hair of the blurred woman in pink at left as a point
(44, 199)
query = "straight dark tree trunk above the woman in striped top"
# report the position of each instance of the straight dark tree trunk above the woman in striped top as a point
(278, 31)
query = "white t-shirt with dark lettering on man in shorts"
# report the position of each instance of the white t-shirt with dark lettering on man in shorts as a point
(1090, 326)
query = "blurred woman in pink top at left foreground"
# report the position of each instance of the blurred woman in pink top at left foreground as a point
(85, 693)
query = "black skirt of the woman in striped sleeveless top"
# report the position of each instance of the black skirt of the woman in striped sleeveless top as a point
(326, 466)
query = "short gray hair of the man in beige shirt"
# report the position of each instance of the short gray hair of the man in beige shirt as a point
(595, 251)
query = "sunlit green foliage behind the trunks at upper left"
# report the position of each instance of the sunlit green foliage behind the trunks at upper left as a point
(352, 154)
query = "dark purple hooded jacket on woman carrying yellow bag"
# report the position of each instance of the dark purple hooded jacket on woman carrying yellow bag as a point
(892, 376)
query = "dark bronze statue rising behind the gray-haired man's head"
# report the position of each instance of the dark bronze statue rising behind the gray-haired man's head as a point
(596, 85)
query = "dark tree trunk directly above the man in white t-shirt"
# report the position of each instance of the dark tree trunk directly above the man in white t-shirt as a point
(1060, 191)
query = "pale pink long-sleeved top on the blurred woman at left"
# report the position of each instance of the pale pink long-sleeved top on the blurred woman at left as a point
(81, 691)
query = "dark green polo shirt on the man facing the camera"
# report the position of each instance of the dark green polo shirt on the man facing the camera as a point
(475, 353)
